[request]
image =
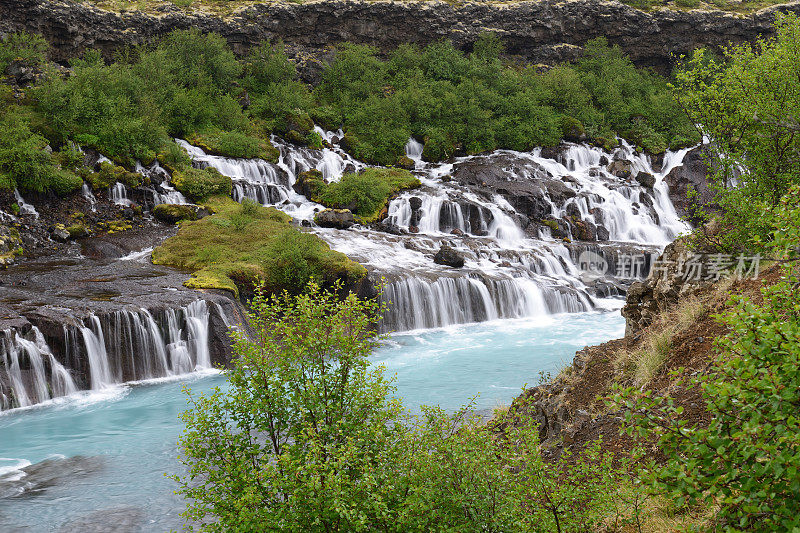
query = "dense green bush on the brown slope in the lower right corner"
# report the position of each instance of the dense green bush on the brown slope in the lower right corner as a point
(745, 458)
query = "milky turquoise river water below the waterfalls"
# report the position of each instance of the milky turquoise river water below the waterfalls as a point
(110, 449)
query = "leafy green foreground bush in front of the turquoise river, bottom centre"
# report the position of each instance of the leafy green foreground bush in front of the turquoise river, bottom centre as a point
(308, 437)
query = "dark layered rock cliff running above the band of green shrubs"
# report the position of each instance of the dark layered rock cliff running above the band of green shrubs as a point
(539, 31)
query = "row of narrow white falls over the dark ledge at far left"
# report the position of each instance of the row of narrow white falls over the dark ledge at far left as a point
(126, 345)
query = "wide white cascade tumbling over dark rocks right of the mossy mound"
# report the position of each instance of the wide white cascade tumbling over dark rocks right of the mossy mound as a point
(515, 266)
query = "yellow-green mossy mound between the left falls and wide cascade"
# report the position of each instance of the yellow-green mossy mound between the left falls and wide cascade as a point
(242, 244)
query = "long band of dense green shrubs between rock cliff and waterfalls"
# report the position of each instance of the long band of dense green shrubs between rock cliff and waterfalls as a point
(190, 85)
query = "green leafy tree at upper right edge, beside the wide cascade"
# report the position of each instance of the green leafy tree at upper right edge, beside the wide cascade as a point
(748, 103)
